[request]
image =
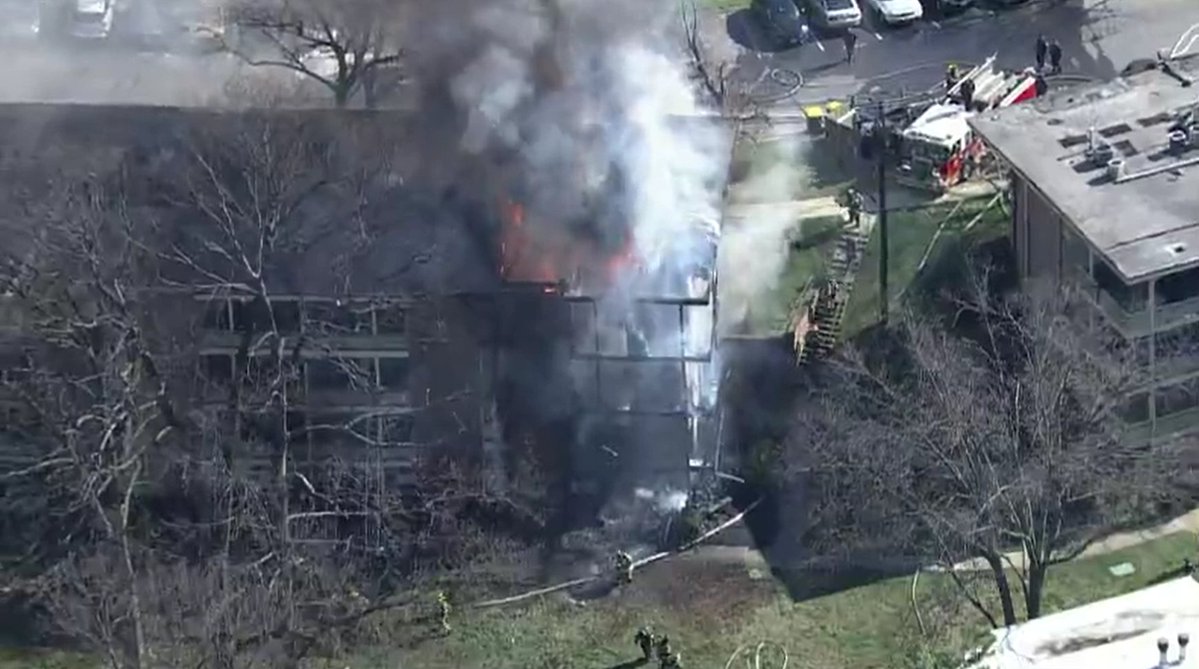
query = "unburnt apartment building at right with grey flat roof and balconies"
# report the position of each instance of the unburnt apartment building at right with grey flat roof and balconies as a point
(1105, 182)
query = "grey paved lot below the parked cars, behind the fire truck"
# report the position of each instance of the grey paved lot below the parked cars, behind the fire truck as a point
(1099, 39)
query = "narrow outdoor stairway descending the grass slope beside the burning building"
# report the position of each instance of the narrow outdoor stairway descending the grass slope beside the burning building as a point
(829, 308)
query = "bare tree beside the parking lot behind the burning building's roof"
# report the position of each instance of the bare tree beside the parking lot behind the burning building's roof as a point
(347, 47)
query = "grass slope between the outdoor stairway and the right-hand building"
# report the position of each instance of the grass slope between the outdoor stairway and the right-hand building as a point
(911, 233)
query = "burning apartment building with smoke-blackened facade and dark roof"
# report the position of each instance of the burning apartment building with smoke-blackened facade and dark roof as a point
(483, 340)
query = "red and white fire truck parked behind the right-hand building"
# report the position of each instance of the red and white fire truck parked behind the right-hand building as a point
(938, 148)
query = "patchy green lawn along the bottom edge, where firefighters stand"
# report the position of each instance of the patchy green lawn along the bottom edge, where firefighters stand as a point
(709, 611)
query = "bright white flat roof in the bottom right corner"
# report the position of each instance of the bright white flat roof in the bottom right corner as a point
(1117, 634)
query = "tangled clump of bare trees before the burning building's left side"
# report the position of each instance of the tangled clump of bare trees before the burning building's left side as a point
(170, 551)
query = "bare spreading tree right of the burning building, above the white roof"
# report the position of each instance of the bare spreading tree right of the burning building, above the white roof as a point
(1001, 432)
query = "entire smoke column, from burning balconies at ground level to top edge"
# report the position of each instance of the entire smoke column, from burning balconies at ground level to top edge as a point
(587, 118)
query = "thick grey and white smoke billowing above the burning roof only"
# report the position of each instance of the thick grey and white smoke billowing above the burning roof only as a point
(585, 101)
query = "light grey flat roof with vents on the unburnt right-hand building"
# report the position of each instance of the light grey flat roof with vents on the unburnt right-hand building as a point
(1147, 224)
